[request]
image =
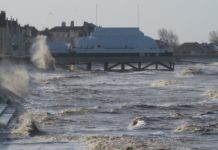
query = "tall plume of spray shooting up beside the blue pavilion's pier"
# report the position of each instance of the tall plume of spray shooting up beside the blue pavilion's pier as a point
(40, 54)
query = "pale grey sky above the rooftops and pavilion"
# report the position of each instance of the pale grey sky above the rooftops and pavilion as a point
(191, 20)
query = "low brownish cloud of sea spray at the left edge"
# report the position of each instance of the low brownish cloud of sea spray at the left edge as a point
(15, 78)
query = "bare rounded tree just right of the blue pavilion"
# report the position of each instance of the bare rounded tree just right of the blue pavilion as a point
(168, 37)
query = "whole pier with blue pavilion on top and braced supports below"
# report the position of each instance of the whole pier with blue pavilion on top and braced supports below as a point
(116, 49)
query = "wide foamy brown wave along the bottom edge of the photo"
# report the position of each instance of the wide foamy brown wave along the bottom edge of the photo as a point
(127, 143)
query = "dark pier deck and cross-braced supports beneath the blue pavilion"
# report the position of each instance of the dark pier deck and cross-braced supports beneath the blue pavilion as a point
(120, 63)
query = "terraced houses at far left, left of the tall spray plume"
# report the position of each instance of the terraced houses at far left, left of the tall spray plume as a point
(15, 40)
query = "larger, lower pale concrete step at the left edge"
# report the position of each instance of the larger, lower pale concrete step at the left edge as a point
(6, 116)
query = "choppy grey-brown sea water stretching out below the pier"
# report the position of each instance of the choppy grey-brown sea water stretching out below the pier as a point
(179, 105)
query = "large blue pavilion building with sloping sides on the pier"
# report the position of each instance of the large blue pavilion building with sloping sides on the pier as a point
(119, 41)
